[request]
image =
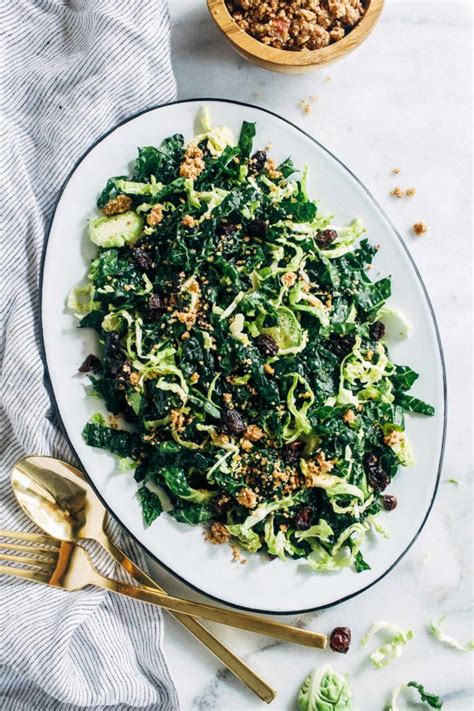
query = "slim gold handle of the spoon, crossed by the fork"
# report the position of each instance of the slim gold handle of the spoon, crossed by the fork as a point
(218, 648)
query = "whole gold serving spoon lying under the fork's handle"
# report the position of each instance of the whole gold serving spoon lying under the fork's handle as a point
(56, 497)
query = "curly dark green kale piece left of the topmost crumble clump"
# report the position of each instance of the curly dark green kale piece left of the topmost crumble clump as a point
(162, 162)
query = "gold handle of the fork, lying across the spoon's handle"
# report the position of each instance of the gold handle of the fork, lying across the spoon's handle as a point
(240, 620)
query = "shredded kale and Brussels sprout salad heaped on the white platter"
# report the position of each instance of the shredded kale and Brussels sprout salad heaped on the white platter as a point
(244, 352)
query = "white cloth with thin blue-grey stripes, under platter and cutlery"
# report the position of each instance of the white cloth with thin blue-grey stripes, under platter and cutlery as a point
(71, 70)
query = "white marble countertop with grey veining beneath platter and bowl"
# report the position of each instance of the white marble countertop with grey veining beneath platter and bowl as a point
(399, 101)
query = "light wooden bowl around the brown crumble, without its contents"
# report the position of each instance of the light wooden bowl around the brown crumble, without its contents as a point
(282, 60)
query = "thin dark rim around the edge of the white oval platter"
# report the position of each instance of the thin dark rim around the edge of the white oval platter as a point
(55, 404)
